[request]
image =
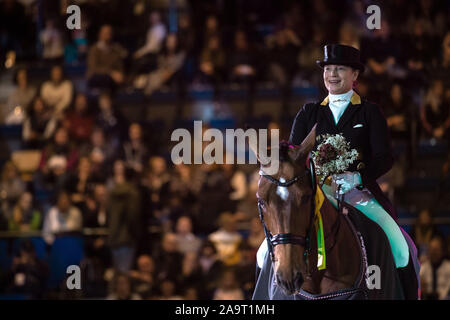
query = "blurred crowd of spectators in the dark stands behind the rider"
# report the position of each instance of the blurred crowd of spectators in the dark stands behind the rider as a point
(189, 231)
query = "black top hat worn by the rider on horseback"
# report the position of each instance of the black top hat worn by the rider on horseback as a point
(341, 55)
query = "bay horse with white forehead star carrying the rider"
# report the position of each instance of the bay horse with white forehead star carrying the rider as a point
(286, 204)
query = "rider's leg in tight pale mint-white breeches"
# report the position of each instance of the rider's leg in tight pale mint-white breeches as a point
(364, 201)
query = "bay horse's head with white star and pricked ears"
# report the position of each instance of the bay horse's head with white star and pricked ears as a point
(285, 203)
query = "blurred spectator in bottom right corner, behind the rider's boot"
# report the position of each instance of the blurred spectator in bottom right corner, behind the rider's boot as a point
(435, 273)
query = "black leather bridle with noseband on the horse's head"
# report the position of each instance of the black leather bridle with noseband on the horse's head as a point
(289, 238)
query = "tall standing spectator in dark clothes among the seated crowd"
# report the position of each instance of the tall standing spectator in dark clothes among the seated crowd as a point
(124, 220)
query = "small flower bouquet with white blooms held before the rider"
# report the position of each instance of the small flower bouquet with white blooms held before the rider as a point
(333, 156)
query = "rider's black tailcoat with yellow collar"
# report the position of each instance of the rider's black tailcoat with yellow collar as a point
(364, 126)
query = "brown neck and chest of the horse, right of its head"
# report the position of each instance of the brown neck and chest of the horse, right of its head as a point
(342, 254)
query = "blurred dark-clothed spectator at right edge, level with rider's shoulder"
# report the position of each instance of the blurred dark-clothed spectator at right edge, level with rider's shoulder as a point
(435, 112)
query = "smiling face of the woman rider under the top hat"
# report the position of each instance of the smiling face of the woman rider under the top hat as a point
(339, 79)
